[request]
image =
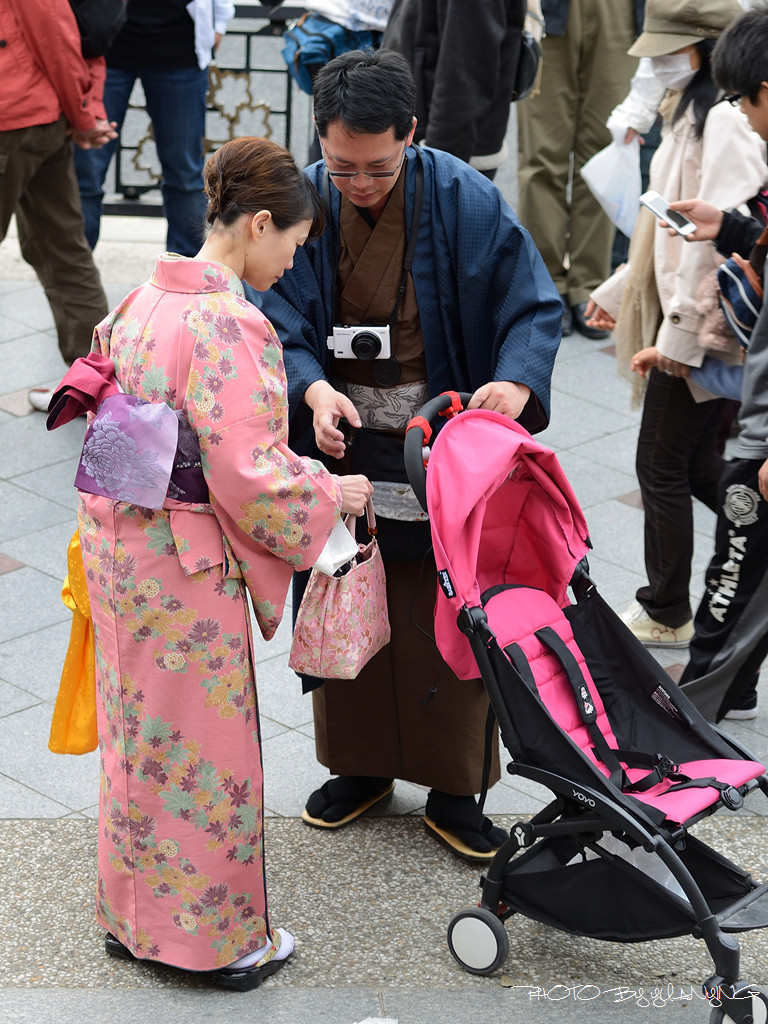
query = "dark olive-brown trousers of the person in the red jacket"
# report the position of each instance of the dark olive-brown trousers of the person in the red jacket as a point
(38, 184)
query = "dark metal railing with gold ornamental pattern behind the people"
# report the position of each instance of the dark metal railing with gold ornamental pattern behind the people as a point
(250, 94)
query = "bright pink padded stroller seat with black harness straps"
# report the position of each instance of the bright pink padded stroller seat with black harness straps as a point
(524, 620)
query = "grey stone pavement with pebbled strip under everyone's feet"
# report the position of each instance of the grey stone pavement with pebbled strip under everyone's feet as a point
(369, 906)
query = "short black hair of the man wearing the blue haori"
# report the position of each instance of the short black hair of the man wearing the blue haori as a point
(370, 92)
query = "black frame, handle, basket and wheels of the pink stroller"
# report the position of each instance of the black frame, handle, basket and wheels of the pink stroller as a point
(712, 900)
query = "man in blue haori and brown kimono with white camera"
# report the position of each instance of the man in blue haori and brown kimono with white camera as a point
(423, 251)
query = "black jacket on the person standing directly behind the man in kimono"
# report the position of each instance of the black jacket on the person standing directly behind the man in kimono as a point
(464, 57)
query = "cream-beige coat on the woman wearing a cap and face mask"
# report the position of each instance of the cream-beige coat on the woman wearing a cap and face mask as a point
(727, 167)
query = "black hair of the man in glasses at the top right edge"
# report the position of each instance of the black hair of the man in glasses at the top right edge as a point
(740, 63)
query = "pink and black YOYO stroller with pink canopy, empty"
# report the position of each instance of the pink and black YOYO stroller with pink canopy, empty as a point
(584, 711)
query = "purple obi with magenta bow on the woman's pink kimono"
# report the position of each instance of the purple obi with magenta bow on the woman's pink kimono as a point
(135, 451)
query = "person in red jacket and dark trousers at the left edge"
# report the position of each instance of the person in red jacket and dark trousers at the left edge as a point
(51, 96)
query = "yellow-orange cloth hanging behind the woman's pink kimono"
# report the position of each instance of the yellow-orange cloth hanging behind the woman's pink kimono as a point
(73, 729)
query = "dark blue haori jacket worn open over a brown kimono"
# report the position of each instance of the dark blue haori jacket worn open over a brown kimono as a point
(488, 307)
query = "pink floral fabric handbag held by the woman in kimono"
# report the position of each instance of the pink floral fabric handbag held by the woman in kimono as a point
(344, 620)
